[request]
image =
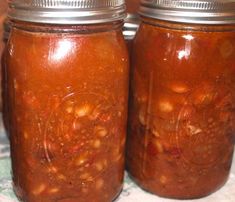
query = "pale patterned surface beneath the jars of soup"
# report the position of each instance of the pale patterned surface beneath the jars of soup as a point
(130, 193)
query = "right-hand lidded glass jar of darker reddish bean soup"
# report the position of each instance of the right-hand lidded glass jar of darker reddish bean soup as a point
(181, 126)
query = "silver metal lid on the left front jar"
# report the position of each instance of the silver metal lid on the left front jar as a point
(67, 11)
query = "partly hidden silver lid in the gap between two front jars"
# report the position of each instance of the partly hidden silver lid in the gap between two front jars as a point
(131, 25)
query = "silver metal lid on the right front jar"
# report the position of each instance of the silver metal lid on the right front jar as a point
(190, 11)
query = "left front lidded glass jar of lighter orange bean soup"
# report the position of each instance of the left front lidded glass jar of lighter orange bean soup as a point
(67, 85)
